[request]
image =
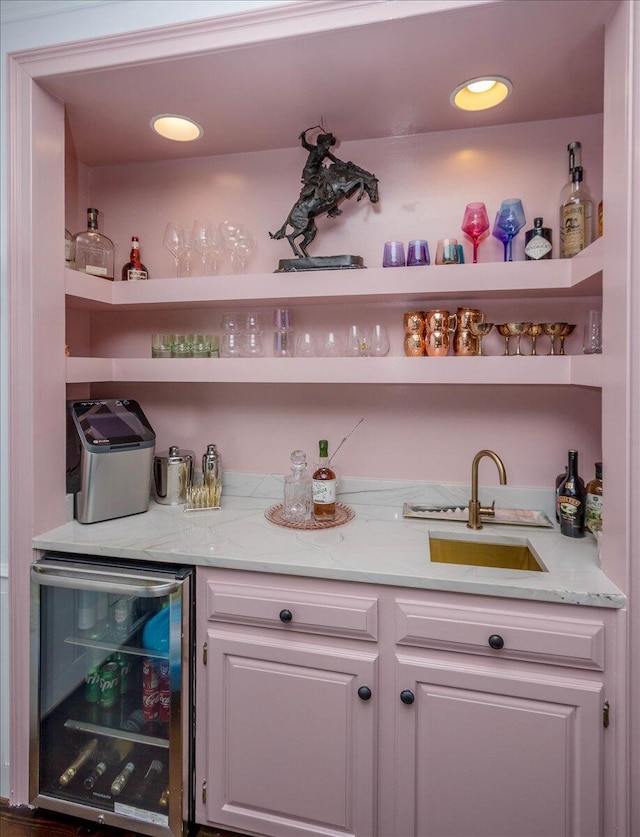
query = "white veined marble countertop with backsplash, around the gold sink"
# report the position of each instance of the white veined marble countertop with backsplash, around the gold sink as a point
(378, 546)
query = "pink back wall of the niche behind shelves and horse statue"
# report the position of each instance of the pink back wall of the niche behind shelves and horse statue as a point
(422, 432)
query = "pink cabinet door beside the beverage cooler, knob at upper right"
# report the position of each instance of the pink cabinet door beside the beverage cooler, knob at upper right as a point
(289, 741)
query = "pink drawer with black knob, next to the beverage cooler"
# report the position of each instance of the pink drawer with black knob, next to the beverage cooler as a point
(291, 609)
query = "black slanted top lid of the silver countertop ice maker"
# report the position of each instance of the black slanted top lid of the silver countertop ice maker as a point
(112, 424)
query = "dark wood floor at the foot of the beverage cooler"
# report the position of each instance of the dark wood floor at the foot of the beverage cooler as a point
(27, 822)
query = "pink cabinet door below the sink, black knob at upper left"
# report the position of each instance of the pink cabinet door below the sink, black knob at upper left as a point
(483, 752)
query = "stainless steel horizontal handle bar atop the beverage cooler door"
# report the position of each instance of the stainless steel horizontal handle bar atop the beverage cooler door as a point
(103, 580)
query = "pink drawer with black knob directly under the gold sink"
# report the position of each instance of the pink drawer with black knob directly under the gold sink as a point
(559, 641)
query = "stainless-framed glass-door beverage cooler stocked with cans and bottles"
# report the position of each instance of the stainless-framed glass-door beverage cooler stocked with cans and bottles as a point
(112, 697)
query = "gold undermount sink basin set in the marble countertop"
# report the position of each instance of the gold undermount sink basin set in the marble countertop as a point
(483, 554)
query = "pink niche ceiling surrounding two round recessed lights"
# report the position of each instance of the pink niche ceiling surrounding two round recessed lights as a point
(261, 96)
